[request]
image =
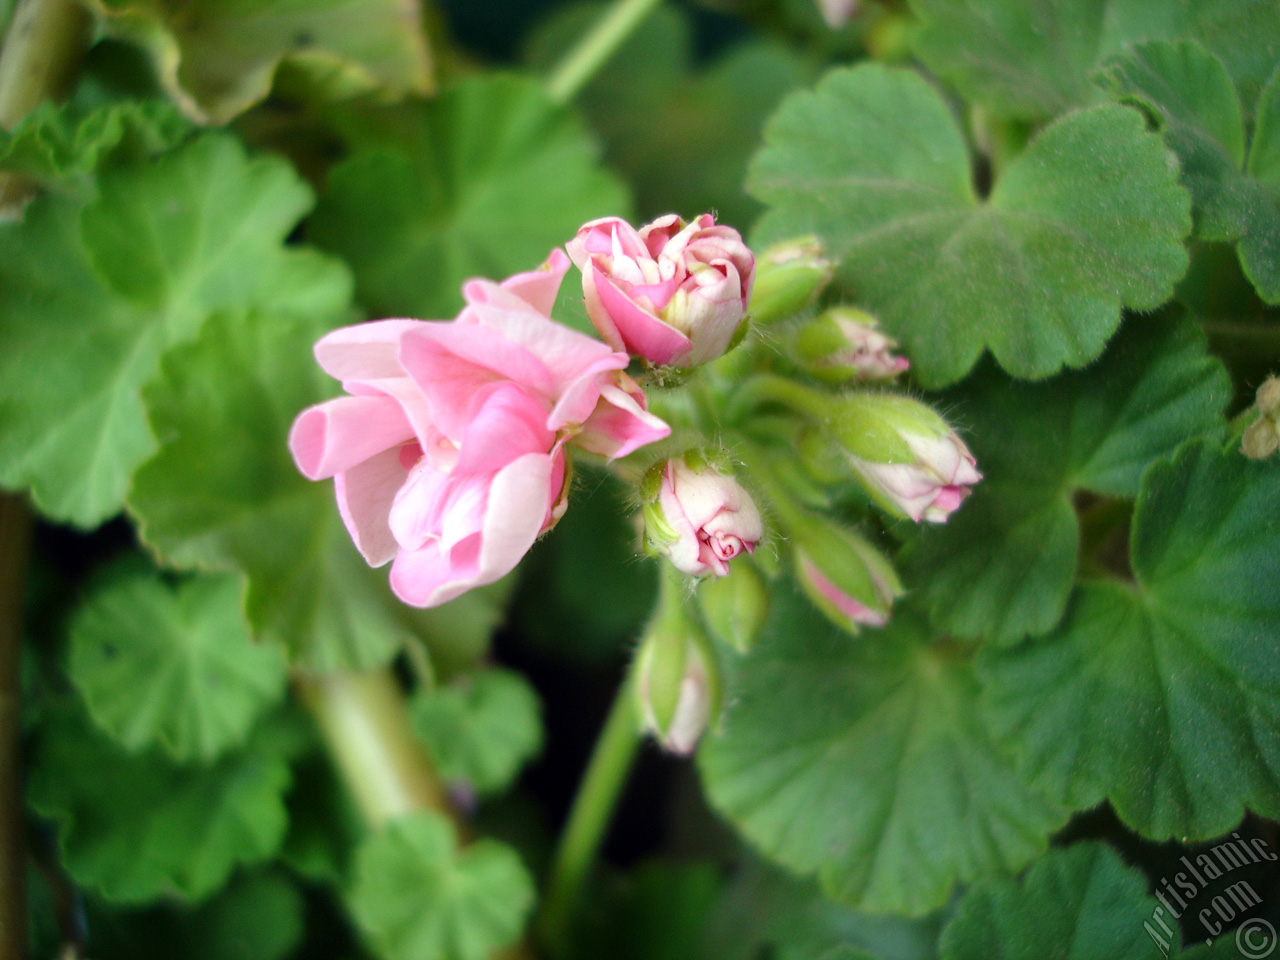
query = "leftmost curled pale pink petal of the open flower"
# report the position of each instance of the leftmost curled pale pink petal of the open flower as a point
(339, 435)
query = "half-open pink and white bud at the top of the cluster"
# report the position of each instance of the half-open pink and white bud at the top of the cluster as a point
(671, 292)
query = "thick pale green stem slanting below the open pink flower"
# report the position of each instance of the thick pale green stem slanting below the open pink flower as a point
(365, 724)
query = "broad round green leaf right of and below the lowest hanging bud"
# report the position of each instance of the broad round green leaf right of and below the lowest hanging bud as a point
(894, 790)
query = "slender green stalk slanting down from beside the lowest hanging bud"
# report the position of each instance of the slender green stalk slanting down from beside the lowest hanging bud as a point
(593, 808)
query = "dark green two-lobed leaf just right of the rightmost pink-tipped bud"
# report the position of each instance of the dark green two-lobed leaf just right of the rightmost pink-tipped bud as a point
(1003, 568)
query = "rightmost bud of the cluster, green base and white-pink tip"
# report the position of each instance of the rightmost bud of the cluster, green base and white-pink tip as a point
(909, 460)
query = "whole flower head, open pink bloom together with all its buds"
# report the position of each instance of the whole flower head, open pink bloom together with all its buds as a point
(452, 450)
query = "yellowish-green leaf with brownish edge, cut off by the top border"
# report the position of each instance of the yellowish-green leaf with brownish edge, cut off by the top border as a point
(217, 60)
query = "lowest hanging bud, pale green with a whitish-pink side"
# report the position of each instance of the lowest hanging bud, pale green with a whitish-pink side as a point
(678, 679)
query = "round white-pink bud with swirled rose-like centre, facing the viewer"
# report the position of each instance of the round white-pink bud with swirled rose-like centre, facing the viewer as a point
(698, 515)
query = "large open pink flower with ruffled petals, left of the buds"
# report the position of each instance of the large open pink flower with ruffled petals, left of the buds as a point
(449, 452)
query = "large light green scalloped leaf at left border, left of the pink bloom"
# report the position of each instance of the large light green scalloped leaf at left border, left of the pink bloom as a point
(94, 292)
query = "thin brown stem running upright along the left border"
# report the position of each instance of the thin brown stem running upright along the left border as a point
(15, 538)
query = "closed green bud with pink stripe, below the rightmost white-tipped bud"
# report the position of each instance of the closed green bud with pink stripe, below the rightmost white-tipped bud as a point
(844, 575)
